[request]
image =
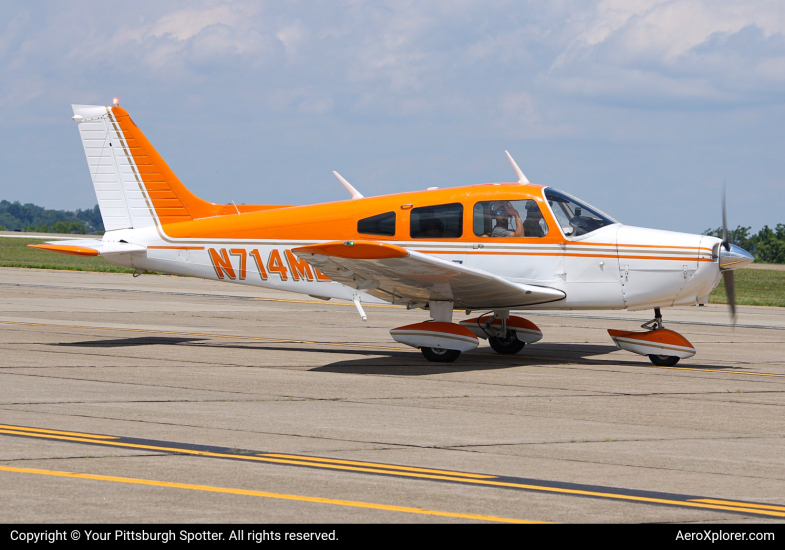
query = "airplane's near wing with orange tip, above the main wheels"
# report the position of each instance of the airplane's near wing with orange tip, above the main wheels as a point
(398, 275)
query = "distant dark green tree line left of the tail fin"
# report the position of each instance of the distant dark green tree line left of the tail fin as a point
(29, 217)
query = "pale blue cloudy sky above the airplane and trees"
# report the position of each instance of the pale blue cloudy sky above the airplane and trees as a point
(641, 107)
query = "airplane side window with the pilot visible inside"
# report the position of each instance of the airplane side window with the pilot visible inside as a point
(517, 218)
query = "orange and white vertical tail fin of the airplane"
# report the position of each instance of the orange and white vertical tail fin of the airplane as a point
(134, 186)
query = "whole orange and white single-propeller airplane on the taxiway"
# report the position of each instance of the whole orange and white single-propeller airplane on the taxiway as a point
(488, 248)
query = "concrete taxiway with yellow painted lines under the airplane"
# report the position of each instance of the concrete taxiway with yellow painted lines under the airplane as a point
(164, 399)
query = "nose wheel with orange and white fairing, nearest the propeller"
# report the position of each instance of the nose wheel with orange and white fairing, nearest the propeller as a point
(663, 347)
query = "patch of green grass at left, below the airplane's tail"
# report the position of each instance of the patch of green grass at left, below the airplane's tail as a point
(14, 252)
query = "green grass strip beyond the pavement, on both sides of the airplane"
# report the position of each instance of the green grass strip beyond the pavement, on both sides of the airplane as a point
(754, 287)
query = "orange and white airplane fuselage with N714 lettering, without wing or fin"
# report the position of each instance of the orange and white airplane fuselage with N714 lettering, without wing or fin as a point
(597, 262)
